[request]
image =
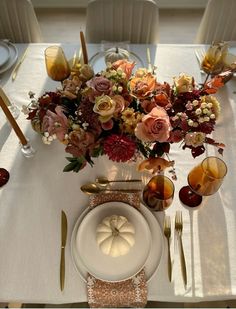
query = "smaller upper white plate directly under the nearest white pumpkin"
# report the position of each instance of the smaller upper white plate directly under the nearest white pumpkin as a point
(105, 267)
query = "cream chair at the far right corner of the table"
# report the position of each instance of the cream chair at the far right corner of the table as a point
(218, 22)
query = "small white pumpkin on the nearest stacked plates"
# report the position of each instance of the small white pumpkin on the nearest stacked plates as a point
(115, 235)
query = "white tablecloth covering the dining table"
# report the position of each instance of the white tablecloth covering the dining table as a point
(38, 190)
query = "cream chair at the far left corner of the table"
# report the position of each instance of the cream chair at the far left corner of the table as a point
(18, 22)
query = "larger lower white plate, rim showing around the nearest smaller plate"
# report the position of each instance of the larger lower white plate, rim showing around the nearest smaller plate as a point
(155, 254)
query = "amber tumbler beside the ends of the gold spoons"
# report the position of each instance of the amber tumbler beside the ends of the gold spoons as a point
(158, 193)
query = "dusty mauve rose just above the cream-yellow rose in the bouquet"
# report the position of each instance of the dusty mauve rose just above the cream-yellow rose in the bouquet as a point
(100, 85)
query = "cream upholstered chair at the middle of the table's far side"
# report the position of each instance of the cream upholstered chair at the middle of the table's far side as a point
(135, 21)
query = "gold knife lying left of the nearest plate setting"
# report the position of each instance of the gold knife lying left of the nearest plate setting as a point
(63, 245)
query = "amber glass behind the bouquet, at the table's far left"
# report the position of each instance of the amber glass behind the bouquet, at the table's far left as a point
(56, 64)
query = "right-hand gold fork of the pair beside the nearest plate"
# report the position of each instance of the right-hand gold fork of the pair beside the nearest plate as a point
(179, 229)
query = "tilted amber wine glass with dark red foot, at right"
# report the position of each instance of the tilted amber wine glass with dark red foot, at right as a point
(203, 180)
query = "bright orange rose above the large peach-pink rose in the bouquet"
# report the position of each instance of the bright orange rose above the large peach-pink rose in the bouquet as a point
(142, 87)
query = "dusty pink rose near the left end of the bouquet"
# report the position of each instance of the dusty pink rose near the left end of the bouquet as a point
(55, 123)
